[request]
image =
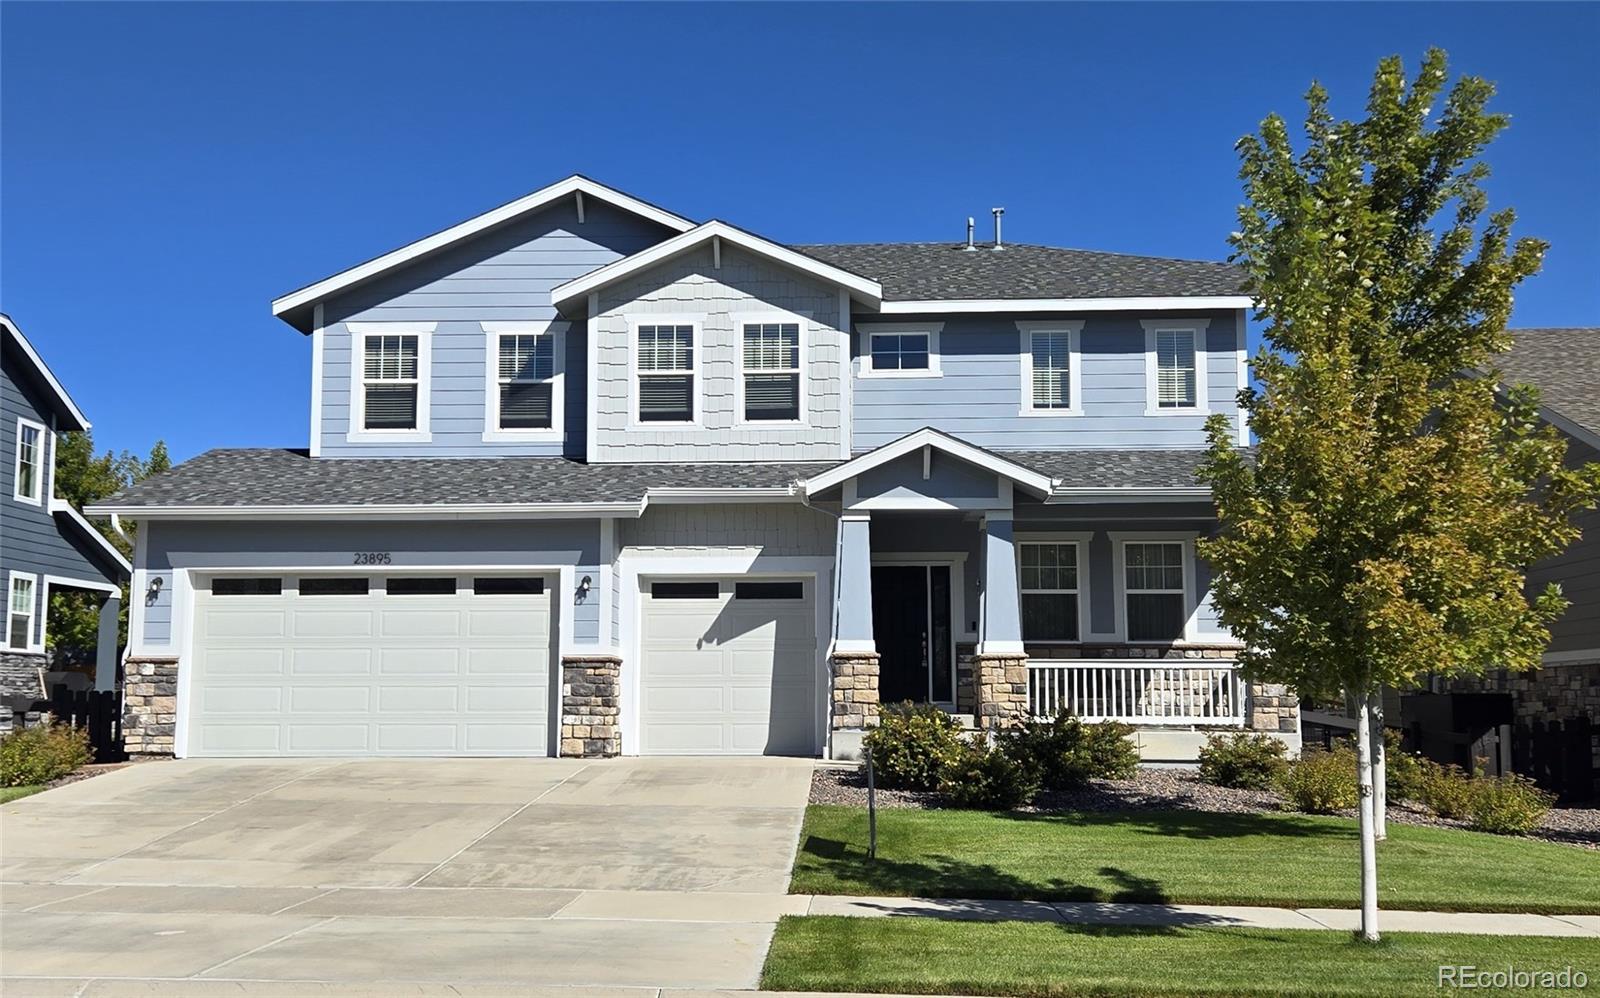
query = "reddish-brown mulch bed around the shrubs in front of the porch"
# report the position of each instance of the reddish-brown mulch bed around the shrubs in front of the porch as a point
(1180, 791)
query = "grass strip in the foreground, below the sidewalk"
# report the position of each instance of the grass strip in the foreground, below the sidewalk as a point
(926, 956)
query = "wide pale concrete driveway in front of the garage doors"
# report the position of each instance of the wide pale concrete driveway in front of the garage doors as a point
(479, 874)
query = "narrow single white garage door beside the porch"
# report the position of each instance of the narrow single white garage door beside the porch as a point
(729, 668)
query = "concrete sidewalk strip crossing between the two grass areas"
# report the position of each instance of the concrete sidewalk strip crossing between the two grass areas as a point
(1473, 924)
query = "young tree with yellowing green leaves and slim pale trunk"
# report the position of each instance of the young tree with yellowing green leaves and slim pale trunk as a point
(1394, 501)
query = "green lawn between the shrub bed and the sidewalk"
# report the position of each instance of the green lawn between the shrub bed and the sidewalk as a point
(1185, 858)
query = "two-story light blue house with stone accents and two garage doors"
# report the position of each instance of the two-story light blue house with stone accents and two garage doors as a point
(590, 477)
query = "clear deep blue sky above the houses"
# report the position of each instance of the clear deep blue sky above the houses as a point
(172, 169)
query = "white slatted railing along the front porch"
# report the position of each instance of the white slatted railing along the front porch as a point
(1137, 693)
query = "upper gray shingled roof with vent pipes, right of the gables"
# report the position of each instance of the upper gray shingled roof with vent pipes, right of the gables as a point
(943, 271)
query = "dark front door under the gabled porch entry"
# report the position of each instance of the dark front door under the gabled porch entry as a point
(911, 628)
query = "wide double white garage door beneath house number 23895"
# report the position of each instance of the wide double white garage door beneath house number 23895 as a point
(370, 666)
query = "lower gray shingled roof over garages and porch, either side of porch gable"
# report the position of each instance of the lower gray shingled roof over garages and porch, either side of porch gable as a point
(284, 477)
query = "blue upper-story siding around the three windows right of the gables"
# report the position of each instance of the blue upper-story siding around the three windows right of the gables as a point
(980, 394)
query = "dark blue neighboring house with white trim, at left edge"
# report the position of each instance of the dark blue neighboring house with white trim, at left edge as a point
(46, 545)
